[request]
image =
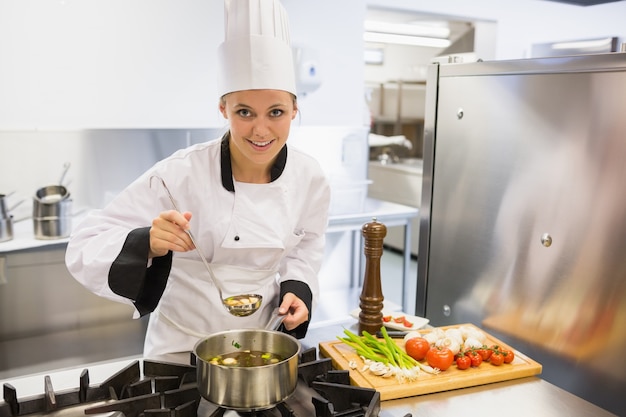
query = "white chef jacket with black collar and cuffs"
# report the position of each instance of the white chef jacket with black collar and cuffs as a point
(260, 238)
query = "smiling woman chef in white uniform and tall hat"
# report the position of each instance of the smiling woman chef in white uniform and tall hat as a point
(256, 207)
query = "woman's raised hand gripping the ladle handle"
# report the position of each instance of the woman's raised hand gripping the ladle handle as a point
(168, 232)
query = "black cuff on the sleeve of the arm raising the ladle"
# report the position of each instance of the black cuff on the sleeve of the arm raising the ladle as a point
(129, 277)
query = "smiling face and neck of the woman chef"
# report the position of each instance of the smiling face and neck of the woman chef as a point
(259, 127)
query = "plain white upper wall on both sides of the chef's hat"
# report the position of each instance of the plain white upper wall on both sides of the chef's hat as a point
(150, 63)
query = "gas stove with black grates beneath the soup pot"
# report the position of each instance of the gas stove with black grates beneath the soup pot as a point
(170, 390)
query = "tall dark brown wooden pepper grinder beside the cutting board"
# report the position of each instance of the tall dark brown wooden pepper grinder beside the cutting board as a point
(371, 316)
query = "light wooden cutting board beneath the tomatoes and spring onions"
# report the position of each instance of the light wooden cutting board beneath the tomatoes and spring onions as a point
(452, 378)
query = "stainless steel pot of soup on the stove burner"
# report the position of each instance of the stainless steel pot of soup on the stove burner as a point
(252, 388)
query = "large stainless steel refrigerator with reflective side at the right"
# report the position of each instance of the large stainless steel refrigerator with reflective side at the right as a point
(523, 216)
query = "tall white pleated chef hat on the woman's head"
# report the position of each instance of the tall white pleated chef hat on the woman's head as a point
(256, 53)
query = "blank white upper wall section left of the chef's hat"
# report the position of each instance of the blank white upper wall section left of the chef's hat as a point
(95, 64)
